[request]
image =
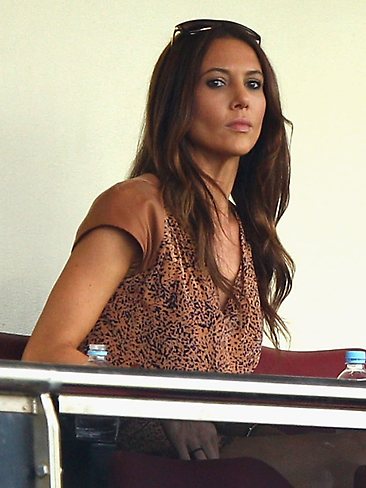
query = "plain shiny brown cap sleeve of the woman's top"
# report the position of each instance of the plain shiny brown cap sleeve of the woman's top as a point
(134, 206)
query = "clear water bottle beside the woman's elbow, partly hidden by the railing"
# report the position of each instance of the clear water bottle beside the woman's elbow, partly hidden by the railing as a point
(100, 429)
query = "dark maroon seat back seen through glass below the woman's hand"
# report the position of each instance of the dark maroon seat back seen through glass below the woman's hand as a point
(131, 470)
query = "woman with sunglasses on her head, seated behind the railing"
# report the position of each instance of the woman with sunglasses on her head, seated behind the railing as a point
(180, 266)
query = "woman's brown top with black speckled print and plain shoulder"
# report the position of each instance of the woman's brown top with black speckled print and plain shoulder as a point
(166, 313)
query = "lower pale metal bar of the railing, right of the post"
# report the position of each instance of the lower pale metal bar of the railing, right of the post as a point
(215, 412)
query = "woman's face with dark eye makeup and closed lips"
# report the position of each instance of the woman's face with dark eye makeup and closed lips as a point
(229, 102)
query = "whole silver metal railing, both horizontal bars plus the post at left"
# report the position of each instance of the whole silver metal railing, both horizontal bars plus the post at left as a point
(45, 392)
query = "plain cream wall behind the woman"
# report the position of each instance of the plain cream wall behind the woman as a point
(73, 81)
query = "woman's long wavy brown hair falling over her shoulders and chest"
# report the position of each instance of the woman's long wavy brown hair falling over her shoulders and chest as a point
(261, 188)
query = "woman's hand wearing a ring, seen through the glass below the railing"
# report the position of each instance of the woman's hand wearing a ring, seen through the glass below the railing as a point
(192, 440)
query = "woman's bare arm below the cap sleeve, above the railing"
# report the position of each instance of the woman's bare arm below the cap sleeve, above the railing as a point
(94, 270)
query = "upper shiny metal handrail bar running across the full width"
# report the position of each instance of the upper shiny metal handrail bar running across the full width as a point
(59, 378)
